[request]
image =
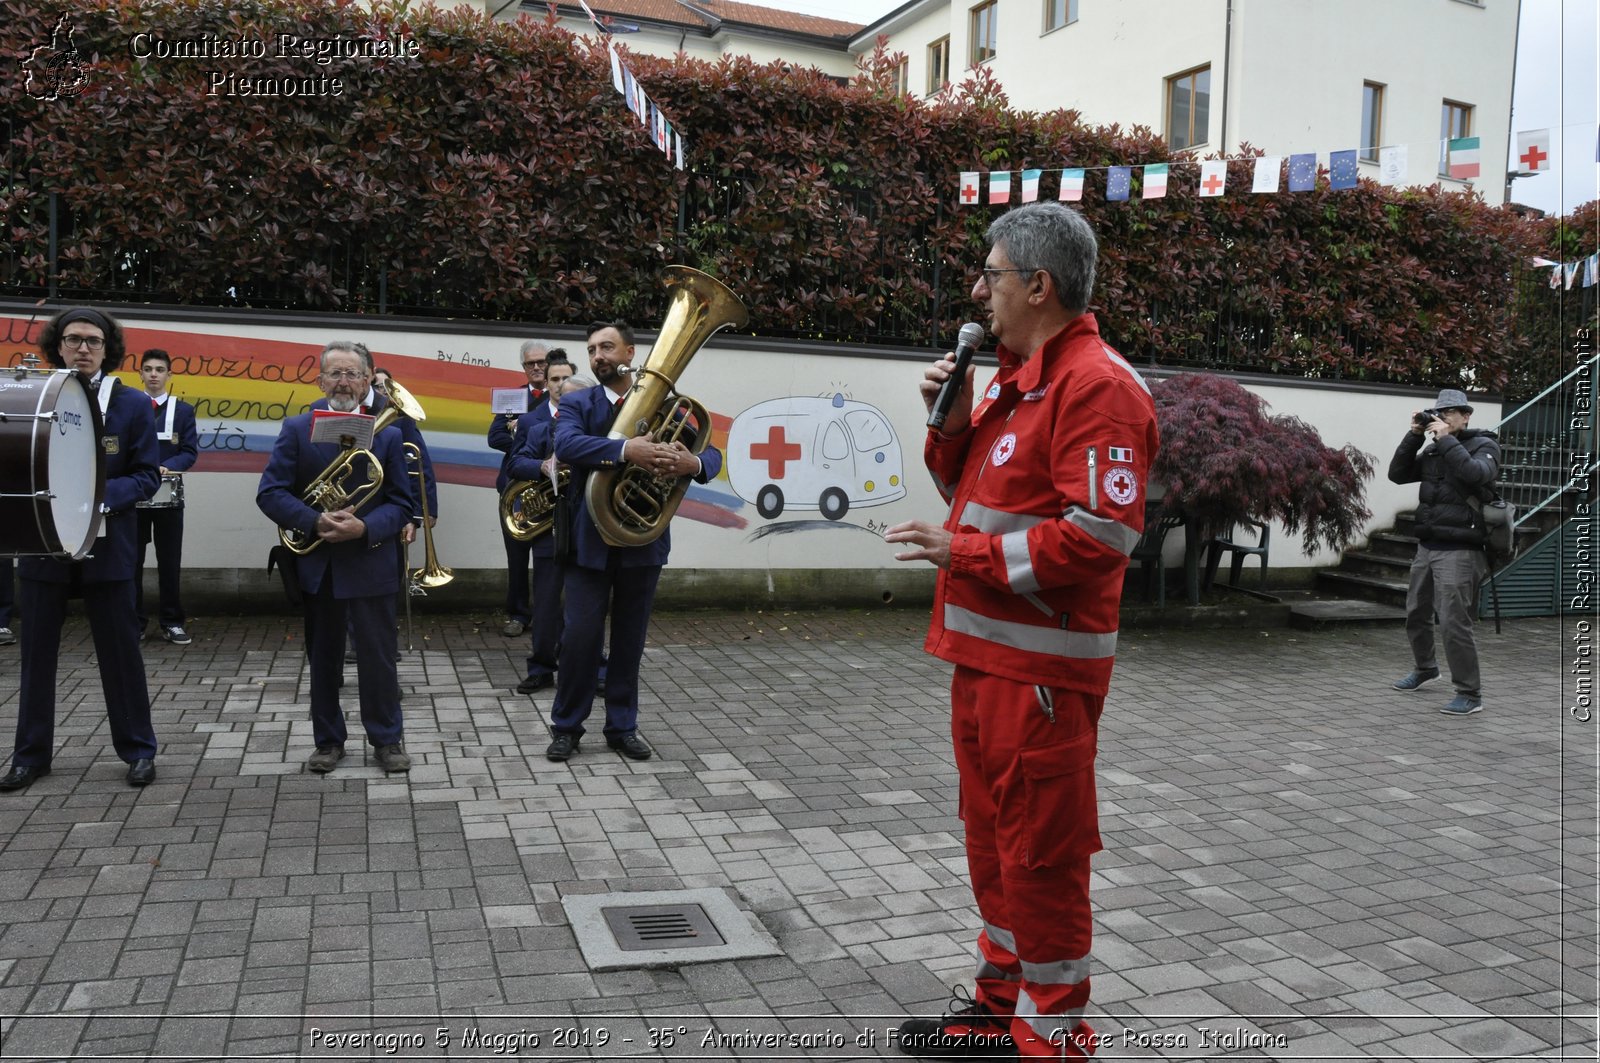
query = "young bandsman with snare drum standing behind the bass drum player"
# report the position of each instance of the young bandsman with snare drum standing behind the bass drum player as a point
(180, 443)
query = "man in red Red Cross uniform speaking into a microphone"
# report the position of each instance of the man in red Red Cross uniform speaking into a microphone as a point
(1046, 479)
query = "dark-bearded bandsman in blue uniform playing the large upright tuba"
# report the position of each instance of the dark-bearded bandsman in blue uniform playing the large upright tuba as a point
(604, 579)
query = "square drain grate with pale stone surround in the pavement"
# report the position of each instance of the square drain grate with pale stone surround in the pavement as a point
(665, 929)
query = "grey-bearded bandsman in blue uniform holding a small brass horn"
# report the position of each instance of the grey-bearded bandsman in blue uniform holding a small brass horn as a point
(351, 576)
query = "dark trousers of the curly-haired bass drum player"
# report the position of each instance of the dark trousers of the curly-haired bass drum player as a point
(110, 608)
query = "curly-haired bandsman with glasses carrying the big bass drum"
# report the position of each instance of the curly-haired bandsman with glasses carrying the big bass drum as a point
(92, 343)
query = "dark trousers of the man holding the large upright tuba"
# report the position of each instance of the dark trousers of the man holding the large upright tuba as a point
(628, 595)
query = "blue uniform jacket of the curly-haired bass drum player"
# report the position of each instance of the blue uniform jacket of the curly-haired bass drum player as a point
(132, 476)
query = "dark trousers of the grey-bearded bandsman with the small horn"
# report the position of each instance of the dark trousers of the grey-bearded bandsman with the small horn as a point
(372, 624)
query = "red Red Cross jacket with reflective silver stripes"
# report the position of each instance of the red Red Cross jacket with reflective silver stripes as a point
(1047, 502)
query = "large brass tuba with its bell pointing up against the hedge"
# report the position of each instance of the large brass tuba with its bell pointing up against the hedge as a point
(631, 507)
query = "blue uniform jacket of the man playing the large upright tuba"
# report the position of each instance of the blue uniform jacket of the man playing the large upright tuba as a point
(582, 443)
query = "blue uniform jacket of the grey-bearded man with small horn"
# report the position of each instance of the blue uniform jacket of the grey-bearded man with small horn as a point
(361, 568)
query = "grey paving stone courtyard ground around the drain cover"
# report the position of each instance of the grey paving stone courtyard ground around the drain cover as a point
(1300, 864)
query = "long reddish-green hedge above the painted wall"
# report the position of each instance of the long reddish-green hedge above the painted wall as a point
(498, 174)
